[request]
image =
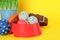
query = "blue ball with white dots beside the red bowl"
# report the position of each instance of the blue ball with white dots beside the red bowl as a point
(4, 27)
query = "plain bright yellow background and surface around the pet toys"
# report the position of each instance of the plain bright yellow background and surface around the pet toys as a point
(48, 8)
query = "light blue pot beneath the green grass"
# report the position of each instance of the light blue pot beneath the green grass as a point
(6, 14)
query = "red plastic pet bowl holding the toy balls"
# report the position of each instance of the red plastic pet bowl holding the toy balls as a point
(26, 30)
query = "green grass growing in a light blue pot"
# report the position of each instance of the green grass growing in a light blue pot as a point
(8, 8)
